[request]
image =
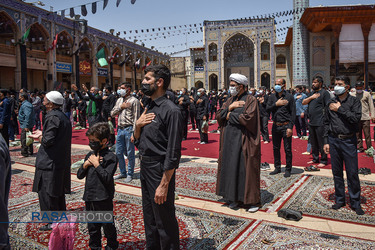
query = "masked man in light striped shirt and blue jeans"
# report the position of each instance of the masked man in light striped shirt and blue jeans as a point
(128, 110)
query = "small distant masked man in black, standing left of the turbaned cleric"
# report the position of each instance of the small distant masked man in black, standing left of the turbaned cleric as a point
(202, 114)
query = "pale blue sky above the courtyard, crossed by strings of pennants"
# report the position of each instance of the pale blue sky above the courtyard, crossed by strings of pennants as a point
(147, 14)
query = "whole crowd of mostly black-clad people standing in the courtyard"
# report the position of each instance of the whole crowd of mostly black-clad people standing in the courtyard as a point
(155, 120)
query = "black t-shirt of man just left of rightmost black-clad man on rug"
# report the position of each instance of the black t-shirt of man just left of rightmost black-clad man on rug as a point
(316, 108)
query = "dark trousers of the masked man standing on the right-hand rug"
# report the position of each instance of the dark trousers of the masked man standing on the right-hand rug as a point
(345, 151)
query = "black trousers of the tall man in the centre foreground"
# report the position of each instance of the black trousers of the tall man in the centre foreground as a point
(160, 221)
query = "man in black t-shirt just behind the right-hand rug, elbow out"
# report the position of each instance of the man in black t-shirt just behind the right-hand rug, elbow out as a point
(317, 103)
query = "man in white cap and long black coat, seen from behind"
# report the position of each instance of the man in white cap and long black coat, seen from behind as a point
(52, 174)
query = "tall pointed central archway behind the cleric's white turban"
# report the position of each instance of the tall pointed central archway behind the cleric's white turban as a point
(239, 57)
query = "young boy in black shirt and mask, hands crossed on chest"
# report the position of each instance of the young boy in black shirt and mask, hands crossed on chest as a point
(99, 167)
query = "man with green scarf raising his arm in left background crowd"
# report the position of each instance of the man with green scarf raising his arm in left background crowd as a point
(94, 108)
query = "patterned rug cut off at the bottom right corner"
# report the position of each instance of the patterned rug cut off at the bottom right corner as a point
(267, 235)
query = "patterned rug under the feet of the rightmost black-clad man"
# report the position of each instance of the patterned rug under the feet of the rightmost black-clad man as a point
(316, 195)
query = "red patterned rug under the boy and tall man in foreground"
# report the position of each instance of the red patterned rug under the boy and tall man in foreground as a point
(198, 229)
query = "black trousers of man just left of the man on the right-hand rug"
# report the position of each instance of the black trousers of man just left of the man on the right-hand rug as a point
(316, 139)
